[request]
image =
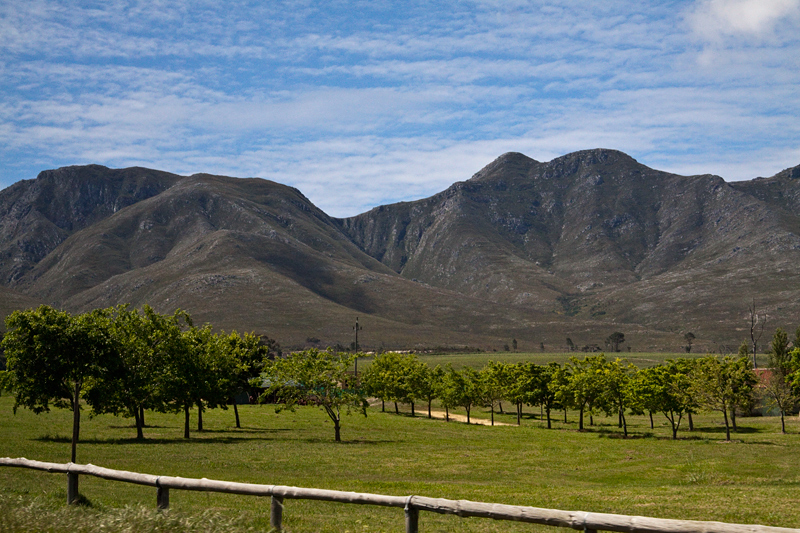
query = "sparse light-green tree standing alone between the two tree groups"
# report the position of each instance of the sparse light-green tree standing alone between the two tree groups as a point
(315, 377)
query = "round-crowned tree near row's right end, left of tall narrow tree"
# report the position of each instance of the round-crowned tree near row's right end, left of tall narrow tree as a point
(720, 384)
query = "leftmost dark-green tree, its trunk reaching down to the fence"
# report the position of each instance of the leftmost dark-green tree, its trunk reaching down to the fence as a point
(52, 357)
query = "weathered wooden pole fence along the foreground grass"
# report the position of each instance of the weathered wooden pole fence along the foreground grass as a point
(582, 521)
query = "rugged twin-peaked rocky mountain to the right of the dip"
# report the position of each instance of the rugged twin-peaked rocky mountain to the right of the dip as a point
(596, 234)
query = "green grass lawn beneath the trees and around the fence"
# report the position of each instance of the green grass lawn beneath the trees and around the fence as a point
(753, 479)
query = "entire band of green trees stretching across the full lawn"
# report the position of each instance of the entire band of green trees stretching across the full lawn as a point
(123, 361)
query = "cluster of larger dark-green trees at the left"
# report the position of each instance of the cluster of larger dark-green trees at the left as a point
(122, 361)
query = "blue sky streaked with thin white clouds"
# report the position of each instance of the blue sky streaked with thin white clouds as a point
(359, 104)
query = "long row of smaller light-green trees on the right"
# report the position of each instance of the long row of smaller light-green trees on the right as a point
(677, 388)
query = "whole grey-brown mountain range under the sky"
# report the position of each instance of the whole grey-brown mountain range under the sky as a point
(581, 246)
